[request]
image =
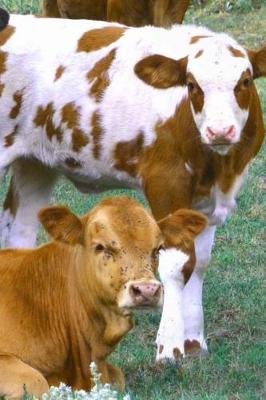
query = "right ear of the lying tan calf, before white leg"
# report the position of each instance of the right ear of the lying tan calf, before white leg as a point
(181, 228)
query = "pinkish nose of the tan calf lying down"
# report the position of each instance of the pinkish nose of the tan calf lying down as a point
(145, 293)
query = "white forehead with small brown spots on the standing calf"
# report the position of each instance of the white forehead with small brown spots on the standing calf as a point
(218, 60)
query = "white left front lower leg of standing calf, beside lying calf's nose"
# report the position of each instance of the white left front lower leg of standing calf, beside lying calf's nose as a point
(170, 336)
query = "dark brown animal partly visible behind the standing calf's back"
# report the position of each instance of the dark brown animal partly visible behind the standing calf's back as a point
(129, 12)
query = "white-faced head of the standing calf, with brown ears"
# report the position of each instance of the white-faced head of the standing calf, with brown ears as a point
(219, 75)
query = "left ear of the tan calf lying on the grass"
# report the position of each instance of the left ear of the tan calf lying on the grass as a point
(61, 224)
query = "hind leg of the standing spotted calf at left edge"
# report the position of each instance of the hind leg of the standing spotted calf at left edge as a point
(30, 189)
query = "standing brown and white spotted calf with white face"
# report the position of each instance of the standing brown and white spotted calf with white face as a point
(174, 112)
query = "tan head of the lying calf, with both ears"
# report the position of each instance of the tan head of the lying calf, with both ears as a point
(120, 244)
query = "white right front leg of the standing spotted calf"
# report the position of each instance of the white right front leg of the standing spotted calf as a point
(192, 294)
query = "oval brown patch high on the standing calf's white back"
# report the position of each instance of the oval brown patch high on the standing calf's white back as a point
(95, 39)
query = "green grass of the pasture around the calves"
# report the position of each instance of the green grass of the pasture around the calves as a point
(234, 297)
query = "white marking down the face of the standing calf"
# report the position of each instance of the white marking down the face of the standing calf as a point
(217, 71)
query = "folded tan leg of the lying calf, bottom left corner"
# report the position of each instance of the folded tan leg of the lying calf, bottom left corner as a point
(14, 374)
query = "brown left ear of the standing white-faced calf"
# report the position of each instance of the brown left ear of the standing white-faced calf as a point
(162, 72)
